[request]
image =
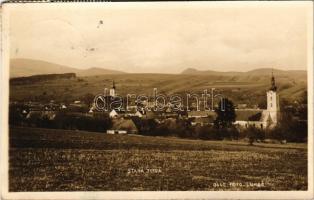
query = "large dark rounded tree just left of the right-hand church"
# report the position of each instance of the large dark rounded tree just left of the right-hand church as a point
(225, 114)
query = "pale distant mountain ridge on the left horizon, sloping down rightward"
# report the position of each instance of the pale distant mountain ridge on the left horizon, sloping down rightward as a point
(28, 67)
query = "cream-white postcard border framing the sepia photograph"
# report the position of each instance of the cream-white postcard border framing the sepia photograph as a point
(4, 88)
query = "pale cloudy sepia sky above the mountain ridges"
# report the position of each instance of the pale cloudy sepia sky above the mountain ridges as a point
(161, 37)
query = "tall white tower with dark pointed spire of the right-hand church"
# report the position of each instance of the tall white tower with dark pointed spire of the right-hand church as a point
(272, 103)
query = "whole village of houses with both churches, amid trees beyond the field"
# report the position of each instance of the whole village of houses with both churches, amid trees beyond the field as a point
(140, 117)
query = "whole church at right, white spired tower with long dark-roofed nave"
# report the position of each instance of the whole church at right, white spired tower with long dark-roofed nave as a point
(261, 118)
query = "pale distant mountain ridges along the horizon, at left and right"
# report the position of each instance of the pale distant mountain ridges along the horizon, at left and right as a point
(28, 67)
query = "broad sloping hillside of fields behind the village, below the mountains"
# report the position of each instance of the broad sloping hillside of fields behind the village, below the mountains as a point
(249, 89)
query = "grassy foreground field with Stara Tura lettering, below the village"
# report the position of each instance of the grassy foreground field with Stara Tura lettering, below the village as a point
(60, 160)
